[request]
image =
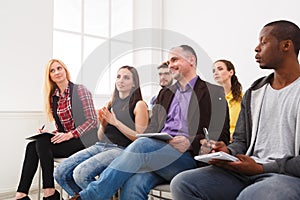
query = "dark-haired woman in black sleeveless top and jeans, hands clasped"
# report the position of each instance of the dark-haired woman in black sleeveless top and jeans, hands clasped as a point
(125, 115)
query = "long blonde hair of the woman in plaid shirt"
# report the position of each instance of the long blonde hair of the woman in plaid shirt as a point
(50, 86)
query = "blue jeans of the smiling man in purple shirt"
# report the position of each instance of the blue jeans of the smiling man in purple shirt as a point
(144, 164)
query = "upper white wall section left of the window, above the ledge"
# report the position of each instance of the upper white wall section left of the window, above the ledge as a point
(26, 46)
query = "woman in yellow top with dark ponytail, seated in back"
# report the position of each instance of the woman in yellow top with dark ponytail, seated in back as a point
(224, 74)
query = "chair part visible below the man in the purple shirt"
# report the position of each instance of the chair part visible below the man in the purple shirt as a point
(162, 191)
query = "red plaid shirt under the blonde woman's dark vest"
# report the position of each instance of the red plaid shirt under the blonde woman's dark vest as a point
(64, 111)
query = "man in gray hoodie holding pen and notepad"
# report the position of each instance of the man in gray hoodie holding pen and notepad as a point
(267, 136)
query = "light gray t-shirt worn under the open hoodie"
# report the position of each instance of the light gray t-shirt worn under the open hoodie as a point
(276, 130)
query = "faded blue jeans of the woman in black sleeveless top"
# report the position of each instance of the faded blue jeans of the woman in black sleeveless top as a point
(77, 171)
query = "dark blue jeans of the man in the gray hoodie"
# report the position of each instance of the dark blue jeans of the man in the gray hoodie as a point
(213, 183)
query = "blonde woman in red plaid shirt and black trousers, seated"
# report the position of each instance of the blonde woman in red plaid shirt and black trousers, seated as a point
(71, 107)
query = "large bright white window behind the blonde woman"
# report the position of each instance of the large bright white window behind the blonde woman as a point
(83, 26)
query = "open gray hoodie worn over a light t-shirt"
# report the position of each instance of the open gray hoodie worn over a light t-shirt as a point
(244, 135)
